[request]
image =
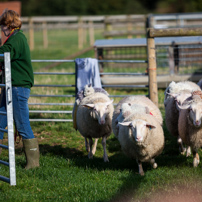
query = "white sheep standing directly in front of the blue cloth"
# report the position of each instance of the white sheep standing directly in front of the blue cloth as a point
(93, 117)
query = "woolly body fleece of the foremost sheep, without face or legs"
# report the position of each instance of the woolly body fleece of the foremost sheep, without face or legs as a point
(151, 147)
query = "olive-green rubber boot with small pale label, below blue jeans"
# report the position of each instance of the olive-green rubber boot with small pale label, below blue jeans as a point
(31, 149)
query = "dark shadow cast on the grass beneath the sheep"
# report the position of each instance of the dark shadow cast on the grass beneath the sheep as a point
(118, 161)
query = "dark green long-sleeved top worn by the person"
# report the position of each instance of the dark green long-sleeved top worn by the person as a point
(21, 67)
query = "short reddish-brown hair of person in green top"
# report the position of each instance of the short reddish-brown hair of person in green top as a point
(11, 19)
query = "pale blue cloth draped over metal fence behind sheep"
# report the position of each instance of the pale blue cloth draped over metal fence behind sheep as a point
(87, 73)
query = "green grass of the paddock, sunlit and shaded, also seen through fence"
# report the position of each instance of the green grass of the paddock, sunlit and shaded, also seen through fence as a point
(66, 173)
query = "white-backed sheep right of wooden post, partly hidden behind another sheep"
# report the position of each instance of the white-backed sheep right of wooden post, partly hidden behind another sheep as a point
(176, 94)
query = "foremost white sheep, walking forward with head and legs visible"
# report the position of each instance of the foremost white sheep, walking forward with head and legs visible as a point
(141, 137)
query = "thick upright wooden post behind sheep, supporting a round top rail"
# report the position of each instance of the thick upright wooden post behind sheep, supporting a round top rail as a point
(151, 54)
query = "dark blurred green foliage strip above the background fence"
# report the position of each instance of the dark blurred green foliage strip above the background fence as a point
(109, 7)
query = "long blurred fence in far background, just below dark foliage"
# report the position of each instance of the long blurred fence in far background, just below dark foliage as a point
(90, 28)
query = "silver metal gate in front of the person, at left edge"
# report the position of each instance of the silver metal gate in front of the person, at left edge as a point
(9, 130)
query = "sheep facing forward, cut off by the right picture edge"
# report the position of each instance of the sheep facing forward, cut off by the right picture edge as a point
(190, 126)
